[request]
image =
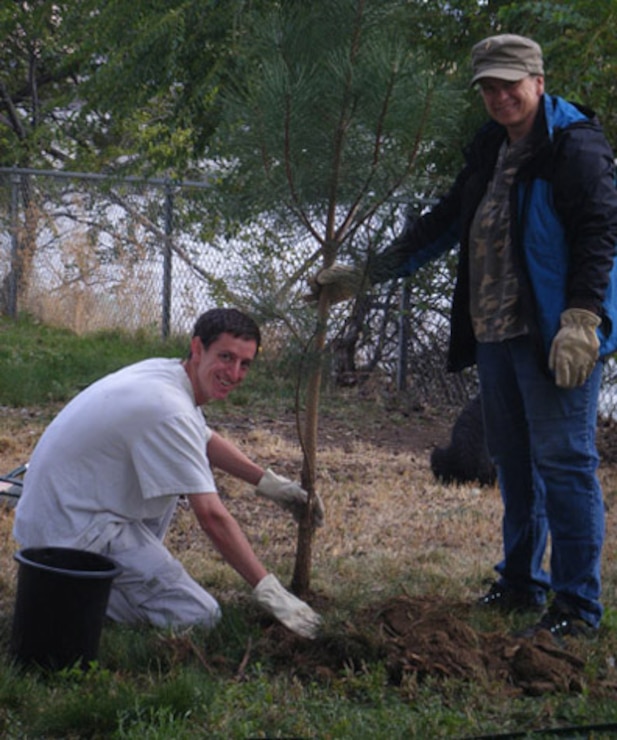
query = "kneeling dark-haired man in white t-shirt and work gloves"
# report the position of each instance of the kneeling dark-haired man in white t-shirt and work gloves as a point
(107, 473)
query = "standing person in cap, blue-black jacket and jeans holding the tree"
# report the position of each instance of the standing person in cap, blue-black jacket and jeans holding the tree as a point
(534, 211)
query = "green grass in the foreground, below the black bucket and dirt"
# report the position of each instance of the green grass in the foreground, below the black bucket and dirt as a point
(147, 690)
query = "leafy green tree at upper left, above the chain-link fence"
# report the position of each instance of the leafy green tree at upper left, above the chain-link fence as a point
(124, 87)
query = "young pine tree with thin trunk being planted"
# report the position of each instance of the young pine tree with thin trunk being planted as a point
(333, 112)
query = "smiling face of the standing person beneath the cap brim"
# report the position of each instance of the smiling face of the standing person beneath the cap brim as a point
(513, 104)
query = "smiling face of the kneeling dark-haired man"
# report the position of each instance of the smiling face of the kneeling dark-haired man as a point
(216, 371)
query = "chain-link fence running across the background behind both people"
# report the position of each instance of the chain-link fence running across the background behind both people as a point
(91, 252)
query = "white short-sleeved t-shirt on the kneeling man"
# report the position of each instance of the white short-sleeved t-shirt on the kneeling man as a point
(121, 451)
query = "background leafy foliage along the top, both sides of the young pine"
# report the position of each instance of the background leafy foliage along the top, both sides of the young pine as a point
(99, 83)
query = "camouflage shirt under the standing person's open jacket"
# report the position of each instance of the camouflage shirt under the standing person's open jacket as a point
(494, 284)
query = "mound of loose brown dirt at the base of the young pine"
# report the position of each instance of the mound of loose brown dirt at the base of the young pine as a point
(419, 638)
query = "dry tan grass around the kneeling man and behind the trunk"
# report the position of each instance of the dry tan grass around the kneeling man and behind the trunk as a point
(389, 526)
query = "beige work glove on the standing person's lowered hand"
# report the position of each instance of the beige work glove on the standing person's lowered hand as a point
(574, 351)
